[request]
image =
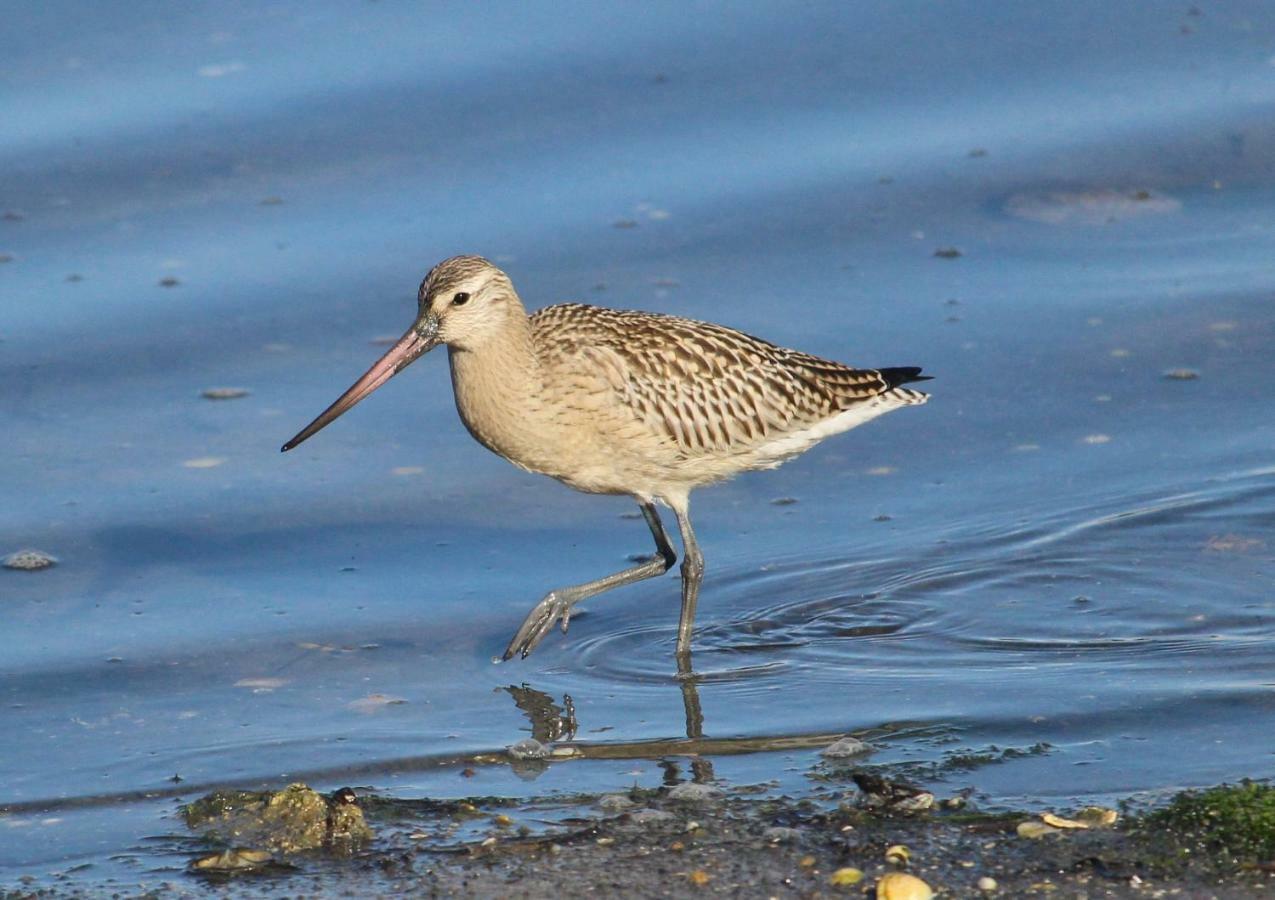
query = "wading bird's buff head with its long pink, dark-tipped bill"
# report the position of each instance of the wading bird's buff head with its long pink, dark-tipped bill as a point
(463, 303)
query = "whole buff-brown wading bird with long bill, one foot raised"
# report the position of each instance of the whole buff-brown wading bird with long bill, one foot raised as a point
(622, 402)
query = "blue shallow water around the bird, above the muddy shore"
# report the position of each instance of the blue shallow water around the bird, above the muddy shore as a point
(1065, 546)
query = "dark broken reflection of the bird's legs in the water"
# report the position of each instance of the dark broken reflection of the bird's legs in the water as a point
(553, 722)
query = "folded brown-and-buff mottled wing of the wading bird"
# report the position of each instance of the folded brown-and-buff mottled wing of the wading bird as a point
(704, 387)
